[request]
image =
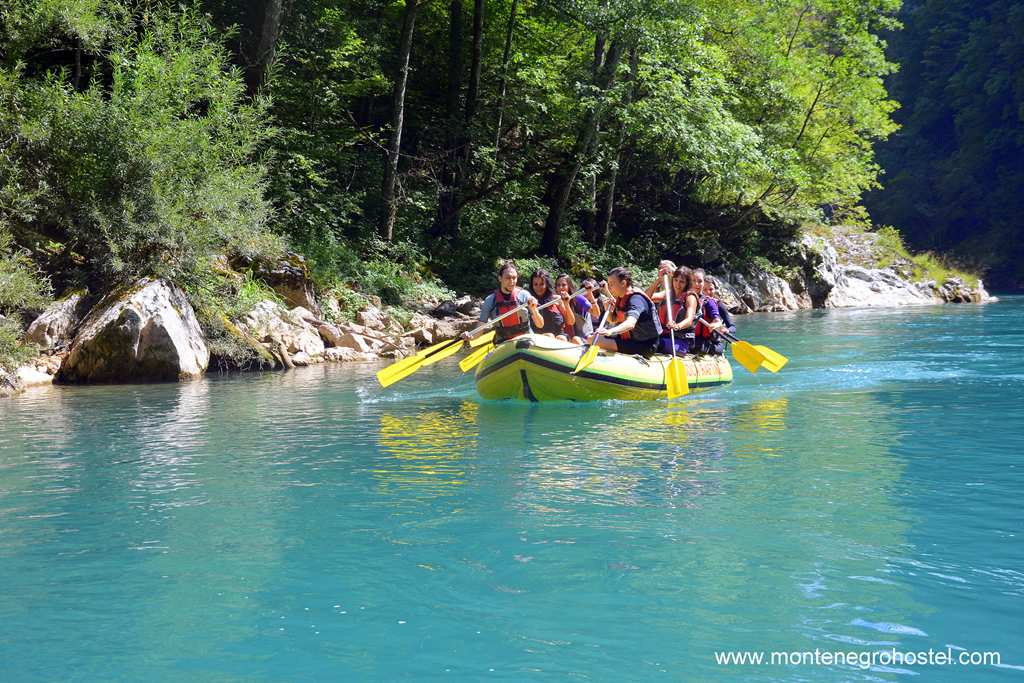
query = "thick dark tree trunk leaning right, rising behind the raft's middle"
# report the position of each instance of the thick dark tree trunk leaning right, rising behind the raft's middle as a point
(561, 183)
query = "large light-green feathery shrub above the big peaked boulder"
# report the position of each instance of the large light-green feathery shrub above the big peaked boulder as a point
(144, 165)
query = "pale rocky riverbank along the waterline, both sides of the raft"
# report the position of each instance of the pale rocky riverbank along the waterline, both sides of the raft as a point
(149, 332)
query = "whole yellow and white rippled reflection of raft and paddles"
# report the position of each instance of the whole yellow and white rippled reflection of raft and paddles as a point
(615, 453)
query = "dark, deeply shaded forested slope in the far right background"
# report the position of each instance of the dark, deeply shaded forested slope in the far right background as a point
(955, 173)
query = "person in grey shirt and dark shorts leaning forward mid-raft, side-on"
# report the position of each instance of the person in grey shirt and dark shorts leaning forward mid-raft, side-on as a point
(636, 326)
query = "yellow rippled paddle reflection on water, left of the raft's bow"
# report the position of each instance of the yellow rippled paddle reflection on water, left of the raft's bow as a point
(428, 451)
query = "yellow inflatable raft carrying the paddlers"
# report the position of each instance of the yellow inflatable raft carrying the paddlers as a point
(539, 368)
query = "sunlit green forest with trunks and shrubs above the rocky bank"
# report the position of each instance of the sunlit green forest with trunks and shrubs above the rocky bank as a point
(402, 145)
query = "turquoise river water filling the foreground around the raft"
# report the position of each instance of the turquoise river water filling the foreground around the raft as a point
(312, 527)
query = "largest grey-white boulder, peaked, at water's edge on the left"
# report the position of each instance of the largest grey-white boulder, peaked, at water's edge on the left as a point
(146, 332)
